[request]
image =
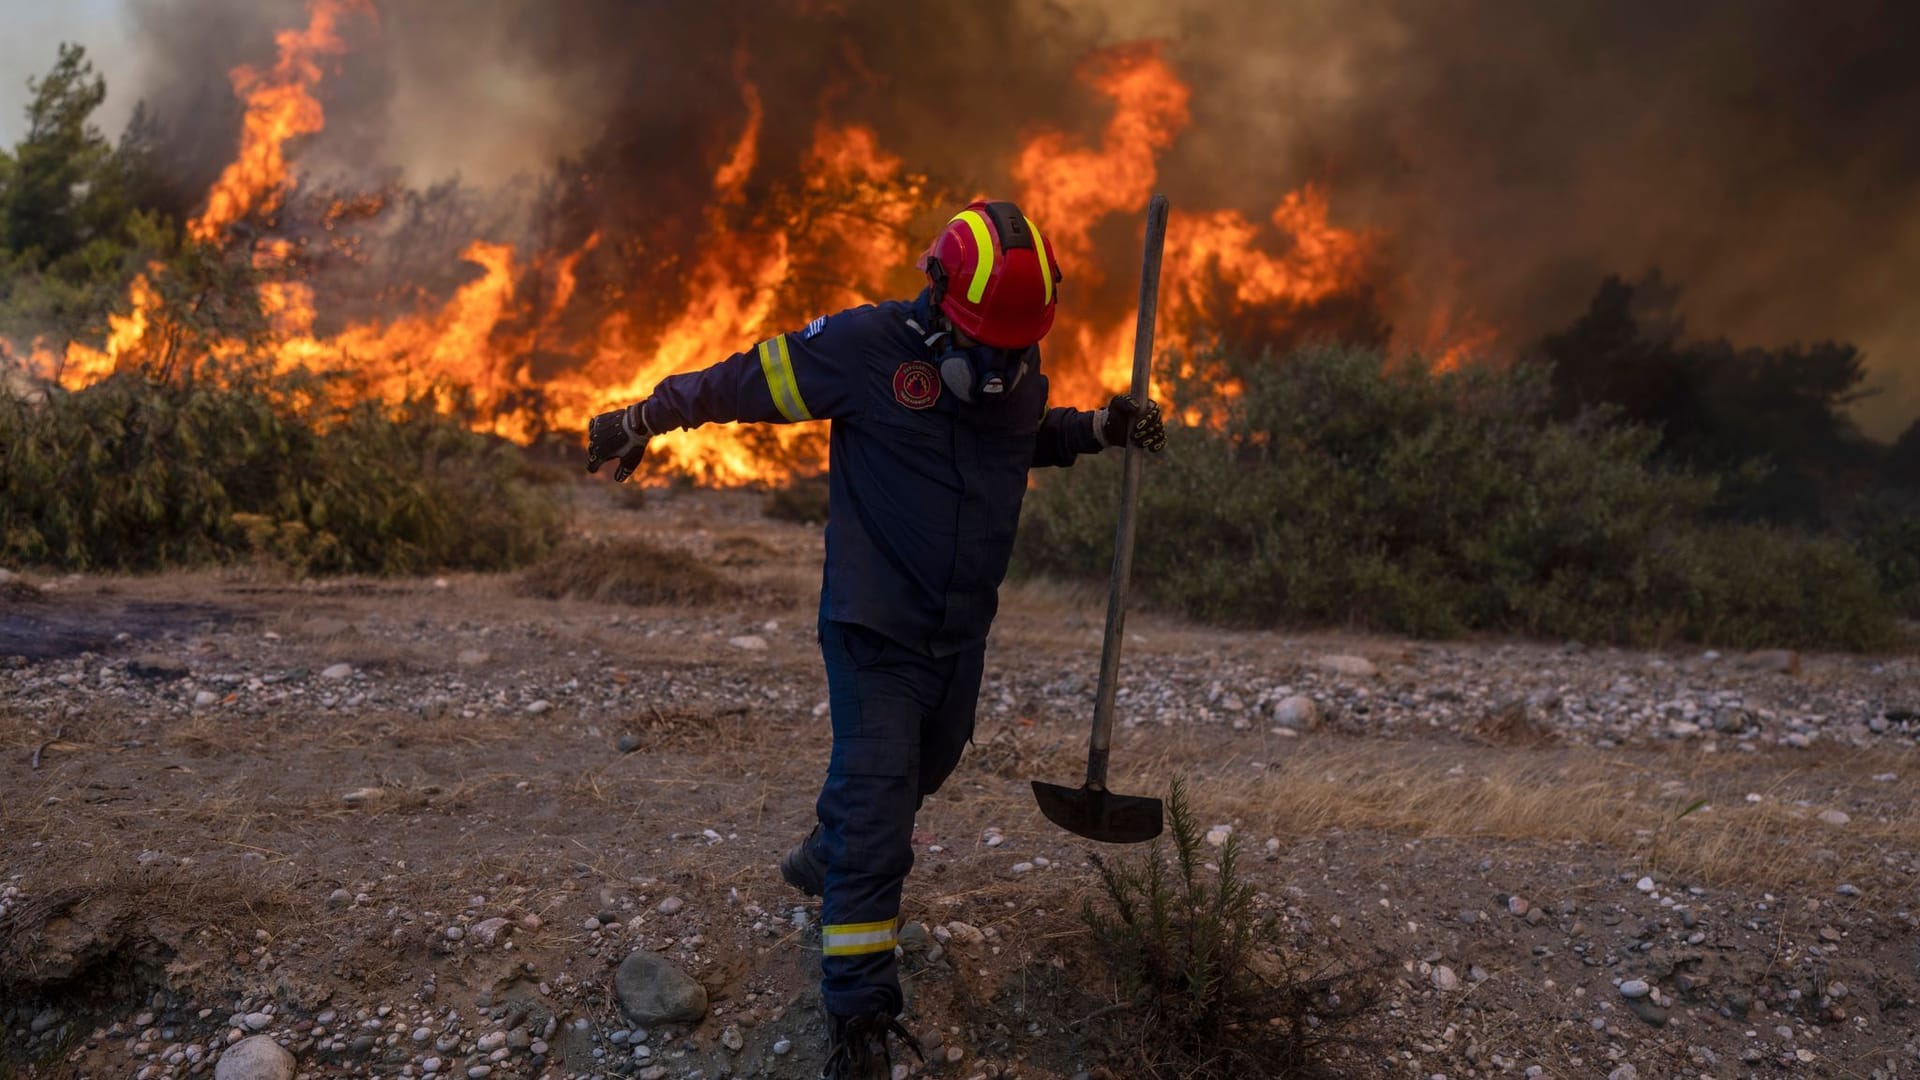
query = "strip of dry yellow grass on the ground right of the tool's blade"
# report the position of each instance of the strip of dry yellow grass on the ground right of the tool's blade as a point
(1646, 812)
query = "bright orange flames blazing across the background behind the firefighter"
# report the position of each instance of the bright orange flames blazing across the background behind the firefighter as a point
(834, 241)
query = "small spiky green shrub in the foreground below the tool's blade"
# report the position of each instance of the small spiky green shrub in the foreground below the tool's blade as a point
(1195, 956)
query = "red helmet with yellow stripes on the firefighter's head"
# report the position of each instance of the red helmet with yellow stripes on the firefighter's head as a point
(994, 276)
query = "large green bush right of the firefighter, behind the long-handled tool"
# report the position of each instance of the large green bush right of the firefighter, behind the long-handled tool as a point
(1337, 487)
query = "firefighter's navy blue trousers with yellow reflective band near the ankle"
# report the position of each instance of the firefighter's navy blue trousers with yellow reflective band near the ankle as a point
(901, 722)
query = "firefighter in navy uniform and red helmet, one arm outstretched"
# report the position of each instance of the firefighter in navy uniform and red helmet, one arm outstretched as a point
(938, 412)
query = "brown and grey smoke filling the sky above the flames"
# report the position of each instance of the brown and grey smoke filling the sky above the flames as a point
(1508, 155)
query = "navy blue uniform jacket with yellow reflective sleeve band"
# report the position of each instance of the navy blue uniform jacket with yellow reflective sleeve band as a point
(924, 491)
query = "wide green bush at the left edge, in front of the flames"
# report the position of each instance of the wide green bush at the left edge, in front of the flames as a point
(133, 476)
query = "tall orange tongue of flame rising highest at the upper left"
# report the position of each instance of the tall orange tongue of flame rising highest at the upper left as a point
(279, 109)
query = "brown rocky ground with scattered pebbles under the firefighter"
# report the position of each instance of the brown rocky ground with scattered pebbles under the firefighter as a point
(443, 829)
